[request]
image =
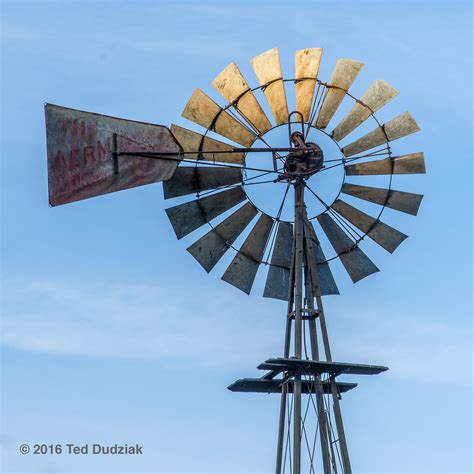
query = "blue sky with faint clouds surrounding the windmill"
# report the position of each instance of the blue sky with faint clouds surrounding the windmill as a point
(112, 333)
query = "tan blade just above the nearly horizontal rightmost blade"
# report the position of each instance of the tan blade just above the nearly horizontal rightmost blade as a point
(398, 127)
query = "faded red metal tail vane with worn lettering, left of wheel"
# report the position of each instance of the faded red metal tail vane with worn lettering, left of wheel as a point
(79, 154)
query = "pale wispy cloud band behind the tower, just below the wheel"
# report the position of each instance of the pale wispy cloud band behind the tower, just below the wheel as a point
(176, 326)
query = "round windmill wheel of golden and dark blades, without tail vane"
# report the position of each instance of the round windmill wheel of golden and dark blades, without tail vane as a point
(215, 170)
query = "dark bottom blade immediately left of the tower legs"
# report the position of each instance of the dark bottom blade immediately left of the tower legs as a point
(277, 284)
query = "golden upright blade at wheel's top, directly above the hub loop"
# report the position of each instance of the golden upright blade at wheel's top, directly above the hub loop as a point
(306, 66)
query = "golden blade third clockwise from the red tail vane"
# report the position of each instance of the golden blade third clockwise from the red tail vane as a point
(230, 83)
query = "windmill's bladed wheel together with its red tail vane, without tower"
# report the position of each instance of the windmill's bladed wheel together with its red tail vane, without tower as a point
(91, 154)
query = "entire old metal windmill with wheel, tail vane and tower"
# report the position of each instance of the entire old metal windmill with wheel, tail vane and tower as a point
(91, 154)
